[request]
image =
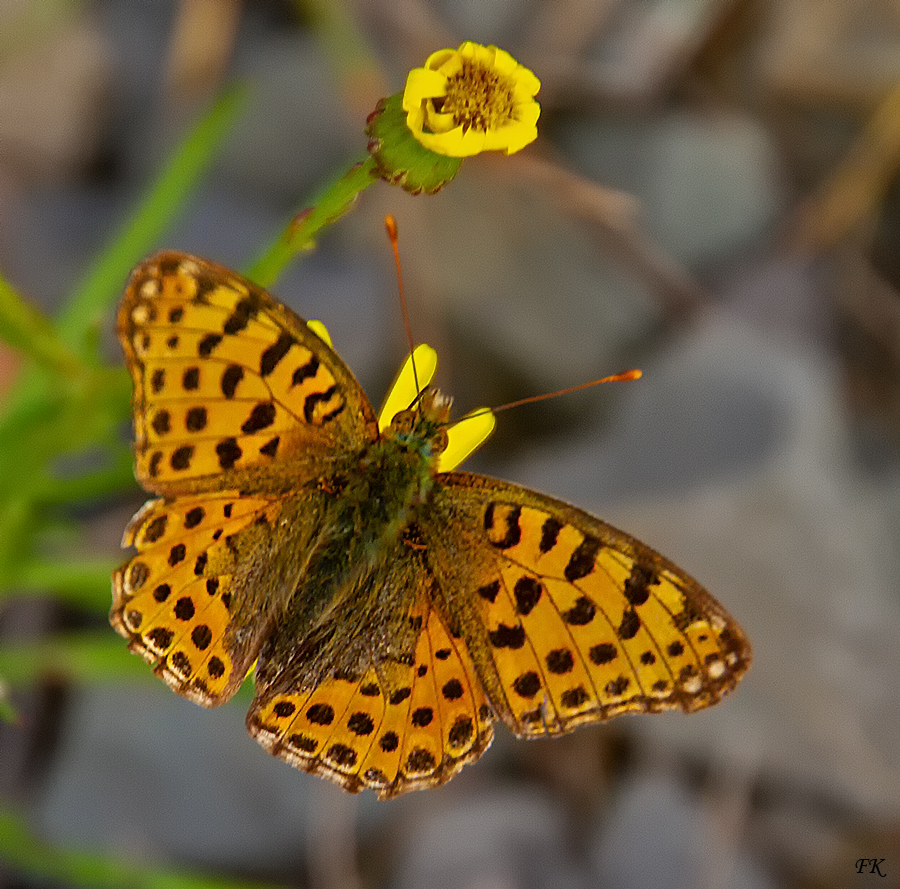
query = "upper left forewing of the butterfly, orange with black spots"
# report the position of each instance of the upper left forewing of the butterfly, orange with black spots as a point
(228, 379)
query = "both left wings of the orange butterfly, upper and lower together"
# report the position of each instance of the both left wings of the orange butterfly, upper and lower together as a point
(233, 394)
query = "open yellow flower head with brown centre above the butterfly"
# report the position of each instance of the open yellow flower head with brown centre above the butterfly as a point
(472, 99)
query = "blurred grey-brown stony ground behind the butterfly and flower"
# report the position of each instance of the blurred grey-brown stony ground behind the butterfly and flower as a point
(714, 198)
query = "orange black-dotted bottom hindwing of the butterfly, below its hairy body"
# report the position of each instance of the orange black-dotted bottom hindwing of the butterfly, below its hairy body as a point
(399, 726)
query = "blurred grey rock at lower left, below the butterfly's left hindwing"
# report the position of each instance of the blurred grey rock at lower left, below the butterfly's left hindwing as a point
(164, 780)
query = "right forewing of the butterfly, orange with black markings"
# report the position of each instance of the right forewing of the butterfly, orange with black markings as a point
(571, 621)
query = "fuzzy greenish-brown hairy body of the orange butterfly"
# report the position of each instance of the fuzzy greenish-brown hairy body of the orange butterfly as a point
(348, 601)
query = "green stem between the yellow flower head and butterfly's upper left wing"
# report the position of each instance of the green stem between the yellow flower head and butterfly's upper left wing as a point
(298, 237)
